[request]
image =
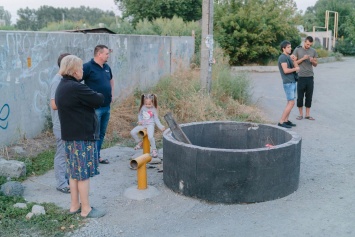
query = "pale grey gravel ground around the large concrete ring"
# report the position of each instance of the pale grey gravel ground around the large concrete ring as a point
(322, 205)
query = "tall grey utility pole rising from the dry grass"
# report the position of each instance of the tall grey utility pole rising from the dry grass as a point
(206, 46)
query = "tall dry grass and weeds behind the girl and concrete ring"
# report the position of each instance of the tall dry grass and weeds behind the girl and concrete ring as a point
(179, 94)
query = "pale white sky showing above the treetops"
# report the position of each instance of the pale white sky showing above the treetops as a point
(13, 5)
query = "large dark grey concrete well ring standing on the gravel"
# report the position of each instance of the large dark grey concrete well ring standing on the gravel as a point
(232, 162)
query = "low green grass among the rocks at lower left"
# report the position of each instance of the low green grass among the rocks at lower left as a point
(13, 220)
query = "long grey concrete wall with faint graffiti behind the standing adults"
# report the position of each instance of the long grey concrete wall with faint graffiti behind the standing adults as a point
(28, 61)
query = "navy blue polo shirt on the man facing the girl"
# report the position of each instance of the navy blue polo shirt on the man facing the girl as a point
(98, 79)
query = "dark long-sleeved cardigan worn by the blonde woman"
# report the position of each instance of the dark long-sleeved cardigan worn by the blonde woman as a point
(76, 104)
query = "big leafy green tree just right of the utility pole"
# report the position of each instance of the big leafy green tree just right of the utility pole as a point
(250, 31)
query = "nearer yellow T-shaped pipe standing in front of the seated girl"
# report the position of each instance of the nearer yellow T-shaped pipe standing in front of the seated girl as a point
(139, 164)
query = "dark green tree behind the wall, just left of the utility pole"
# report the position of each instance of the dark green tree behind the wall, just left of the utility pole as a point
(188, 10)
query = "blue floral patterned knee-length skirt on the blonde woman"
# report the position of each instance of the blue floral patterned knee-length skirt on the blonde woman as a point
(82, 159)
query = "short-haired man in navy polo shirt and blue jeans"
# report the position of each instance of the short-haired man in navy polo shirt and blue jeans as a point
(98, 76)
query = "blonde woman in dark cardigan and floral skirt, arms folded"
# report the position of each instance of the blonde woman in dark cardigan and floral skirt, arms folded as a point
(76, 104)
